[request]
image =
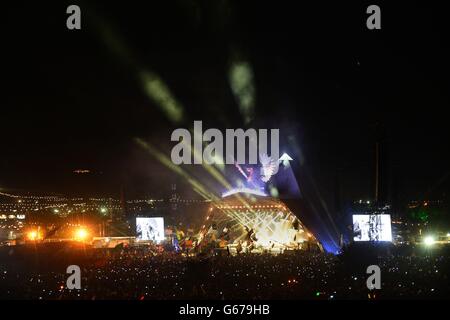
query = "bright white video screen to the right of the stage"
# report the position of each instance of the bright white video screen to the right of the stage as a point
(372, 227)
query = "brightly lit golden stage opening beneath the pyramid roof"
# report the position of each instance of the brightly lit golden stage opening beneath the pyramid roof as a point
(258, 222)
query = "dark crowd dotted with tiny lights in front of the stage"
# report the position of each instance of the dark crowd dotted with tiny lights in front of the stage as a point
(148, 273)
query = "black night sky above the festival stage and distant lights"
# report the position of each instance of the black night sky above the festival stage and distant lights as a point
(69, 102)
